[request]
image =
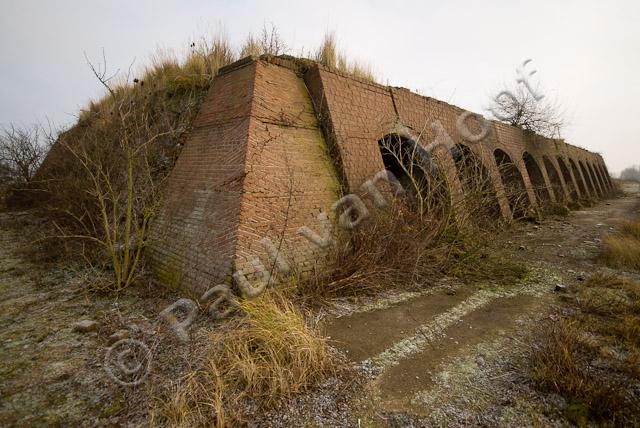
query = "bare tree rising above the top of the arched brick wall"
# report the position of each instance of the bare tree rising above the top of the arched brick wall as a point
(520, 108)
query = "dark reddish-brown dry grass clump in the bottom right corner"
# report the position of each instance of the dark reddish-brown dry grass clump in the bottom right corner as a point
(591, 356)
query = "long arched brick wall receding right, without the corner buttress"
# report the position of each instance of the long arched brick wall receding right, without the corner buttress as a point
(360, 113)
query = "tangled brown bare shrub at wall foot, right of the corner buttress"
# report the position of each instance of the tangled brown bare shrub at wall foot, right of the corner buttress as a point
(395, 249)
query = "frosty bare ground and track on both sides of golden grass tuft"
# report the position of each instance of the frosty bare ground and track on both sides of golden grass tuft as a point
(448, 356)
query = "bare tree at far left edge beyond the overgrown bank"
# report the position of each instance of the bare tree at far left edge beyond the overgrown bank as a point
(22, 150)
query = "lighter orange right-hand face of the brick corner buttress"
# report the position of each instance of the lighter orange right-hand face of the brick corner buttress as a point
(290, 177)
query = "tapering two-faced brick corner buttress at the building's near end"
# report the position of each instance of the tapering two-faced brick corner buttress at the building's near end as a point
(254, 166)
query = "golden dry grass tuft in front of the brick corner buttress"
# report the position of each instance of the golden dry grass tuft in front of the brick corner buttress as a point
(258, 360)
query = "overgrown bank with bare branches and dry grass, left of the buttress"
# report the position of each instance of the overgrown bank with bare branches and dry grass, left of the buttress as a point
(102, 177)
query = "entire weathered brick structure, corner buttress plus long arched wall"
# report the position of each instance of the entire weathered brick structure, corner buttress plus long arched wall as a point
(278, 141)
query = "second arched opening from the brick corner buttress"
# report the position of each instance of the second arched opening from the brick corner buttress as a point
(477, 186)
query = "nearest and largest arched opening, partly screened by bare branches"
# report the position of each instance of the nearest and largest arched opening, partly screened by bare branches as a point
(416, 171)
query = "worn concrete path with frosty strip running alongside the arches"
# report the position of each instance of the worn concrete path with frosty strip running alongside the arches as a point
(416, 346)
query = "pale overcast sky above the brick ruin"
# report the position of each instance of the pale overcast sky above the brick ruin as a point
(586, 53)
